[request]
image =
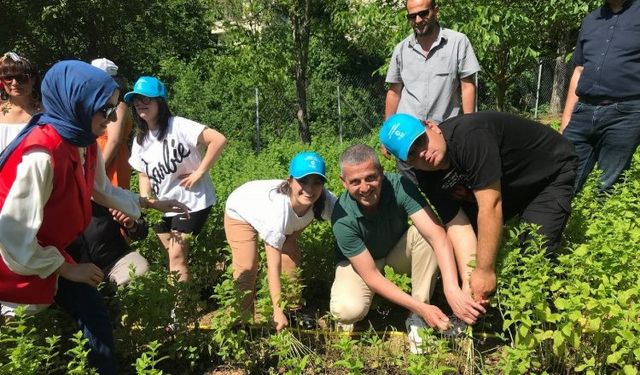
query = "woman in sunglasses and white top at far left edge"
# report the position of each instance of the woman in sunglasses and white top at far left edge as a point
(18, 96)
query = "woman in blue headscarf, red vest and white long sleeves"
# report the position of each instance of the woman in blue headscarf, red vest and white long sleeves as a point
(48, 176)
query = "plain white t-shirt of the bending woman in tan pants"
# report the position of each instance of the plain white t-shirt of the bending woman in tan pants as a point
(269, 212)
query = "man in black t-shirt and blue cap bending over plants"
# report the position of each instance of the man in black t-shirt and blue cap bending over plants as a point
(480, 169)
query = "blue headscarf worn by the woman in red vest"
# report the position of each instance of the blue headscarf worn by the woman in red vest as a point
(72, 92)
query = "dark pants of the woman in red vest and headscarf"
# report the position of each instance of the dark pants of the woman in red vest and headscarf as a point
(86, 306)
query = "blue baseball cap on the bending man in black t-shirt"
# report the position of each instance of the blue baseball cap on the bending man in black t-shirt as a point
(399, 132)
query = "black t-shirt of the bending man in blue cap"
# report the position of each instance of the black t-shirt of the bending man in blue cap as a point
(484, 147)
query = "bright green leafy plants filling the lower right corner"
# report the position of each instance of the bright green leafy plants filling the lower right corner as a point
(580, 313)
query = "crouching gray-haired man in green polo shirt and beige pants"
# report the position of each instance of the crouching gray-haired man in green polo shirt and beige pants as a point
(370, 223)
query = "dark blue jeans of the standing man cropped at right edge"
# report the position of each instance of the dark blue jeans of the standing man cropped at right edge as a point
(607, 134)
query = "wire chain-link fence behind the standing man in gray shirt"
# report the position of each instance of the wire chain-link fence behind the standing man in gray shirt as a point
(349, 108)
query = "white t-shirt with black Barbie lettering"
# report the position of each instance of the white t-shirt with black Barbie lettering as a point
(166, 162)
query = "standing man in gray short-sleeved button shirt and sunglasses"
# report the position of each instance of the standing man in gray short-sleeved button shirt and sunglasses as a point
(431, 73)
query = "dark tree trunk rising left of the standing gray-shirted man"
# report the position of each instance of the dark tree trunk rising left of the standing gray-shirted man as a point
(301, 28)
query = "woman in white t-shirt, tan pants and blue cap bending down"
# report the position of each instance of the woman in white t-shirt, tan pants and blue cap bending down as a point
(276, 211)
